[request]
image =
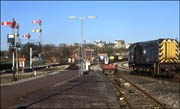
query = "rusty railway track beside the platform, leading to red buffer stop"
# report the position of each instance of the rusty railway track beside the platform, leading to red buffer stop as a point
(131, 96)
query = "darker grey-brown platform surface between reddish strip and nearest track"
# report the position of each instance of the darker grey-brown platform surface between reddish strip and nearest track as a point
(91, 90)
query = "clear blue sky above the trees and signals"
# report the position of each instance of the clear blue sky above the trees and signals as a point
(132, 21)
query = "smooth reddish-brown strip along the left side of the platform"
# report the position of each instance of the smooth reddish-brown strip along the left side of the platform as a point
(11, 92)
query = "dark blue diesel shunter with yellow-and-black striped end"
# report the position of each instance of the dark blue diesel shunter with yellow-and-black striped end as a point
(158, 57)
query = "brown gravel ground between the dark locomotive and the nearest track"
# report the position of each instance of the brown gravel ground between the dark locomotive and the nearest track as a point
(165, 92)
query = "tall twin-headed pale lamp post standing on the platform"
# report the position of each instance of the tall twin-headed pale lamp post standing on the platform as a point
(81, 19)
